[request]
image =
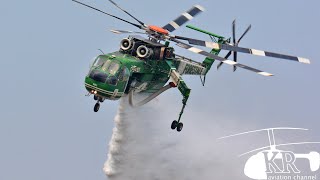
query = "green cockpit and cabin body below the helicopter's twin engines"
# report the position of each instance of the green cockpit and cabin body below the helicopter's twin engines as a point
(115, 74)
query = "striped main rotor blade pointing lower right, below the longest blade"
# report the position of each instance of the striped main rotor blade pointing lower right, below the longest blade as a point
(204, 53)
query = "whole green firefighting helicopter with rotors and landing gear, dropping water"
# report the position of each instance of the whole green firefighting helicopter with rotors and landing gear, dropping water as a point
(149, 64)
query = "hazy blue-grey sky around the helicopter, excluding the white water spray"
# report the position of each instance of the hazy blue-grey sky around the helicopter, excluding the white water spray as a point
(47, 126)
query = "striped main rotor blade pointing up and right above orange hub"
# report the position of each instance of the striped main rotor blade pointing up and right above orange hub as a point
(185, 17)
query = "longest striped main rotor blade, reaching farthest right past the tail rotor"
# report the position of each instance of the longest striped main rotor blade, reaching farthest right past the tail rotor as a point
(256, 52)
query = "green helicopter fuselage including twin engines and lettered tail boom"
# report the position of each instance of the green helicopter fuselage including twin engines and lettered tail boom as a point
(141, 65)
